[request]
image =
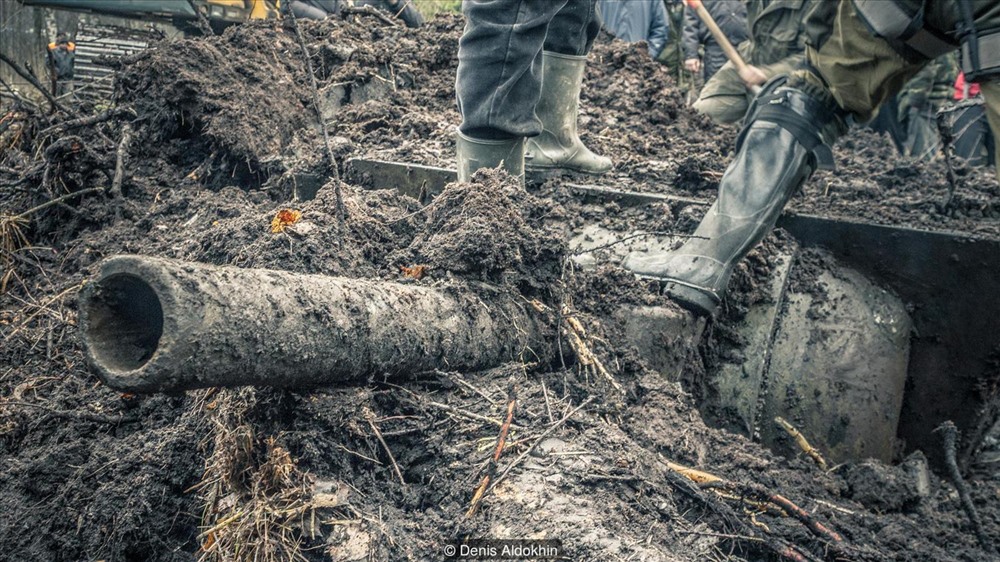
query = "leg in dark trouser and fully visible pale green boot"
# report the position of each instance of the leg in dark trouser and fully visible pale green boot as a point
(558, 147)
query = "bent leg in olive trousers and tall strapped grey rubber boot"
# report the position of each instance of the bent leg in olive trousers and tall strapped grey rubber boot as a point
(789, 130)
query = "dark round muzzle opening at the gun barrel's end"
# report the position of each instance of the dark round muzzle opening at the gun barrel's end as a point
(125, 323)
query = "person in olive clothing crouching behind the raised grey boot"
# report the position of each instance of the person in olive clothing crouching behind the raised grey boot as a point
(775, 45)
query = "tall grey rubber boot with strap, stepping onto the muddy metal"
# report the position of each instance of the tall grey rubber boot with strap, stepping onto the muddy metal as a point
(786, 138)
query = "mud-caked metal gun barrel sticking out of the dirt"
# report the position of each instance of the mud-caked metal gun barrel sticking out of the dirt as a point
(153, 324)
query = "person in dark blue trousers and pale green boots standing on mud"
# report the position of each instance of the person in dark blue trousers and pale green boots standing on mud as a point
(520, 71)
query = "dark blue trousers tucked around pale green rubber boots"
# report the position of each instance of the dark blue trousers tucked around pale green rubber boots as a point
(500, 59)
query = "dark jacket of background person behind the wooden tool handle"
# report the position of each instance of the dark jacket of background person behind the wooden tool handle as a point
(730, 15)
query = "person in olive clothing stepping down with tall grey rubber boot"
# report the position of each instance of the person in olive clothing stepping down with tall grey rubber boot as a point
(861, 53)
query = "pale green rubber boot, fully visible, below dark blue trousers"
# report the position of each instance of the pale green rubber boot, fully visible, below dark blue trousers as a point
(559, 148)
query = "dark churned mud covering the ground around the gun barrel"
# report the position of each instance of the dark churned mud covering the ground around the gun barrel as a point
(386, 469)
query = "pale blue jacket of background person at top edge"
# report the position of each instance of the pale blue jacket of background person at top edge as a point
(637, 20)
